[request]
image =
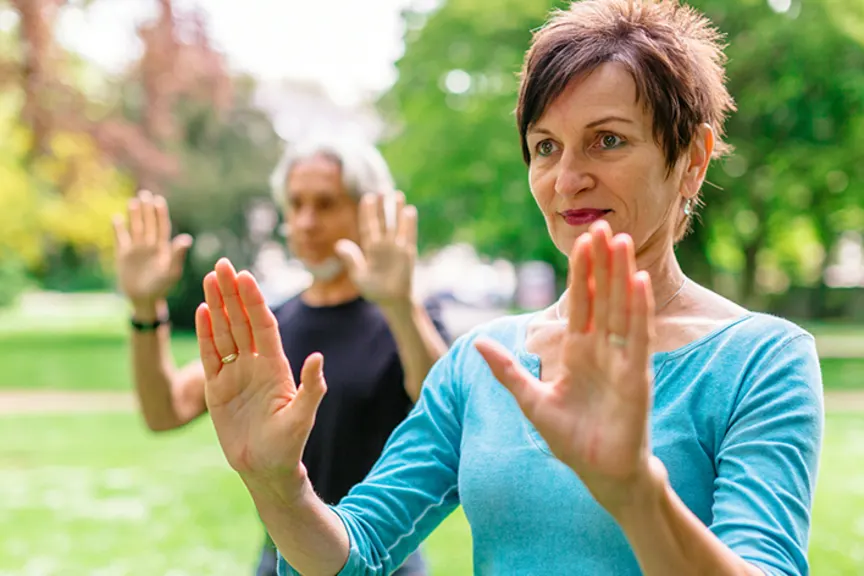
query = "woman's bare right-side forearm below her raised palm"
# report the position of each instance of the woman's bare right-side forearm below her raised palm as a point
(667, 538)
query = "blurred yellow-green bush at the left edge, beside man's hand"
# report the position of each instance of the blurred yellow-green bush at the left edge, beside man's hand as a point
(57, 209)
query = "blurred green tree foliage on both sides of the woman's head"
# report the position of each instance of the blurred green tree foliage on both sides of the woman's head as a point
(777, 206)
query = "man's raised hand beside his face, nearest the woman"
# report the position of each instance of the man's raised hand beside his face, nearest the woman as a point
(383, 270)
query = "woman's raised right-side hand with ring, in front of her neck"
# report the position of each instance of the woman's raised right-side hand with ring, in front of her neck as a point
(594, 414)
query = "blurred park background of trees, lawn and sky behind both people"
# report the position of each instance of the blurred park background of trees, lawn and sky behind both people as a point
(195, 99)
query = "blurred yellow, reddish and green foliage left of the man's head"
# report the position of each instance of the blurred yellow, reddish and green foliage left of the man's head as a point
(173, 123)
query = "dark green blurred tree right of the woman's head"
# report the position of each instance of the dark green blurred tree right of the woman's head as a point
(795, 133)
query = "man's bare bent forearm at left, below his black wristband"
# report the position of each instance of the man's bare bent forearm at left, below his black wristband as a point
(155, 373)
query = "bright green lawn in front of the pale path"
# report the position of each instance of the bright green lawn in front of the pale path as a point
(95, 494)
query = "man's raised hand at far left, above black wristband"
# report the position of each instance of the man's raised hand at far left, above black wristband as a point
(148, 261)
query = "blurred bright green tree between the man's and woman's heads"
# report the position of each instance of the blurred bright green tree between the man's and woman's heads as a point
(456, 152)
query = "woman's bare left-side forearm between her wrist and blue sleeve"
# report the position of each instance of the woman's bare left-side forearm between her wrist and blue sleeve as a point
(306, 531)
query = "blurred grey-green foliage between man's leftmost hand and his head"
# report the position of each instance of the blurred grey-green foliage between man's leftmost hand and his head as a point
(226, 166)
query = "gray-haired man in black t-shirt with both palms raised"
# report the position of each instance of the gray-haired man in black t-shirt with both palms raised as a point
(359, 309)
